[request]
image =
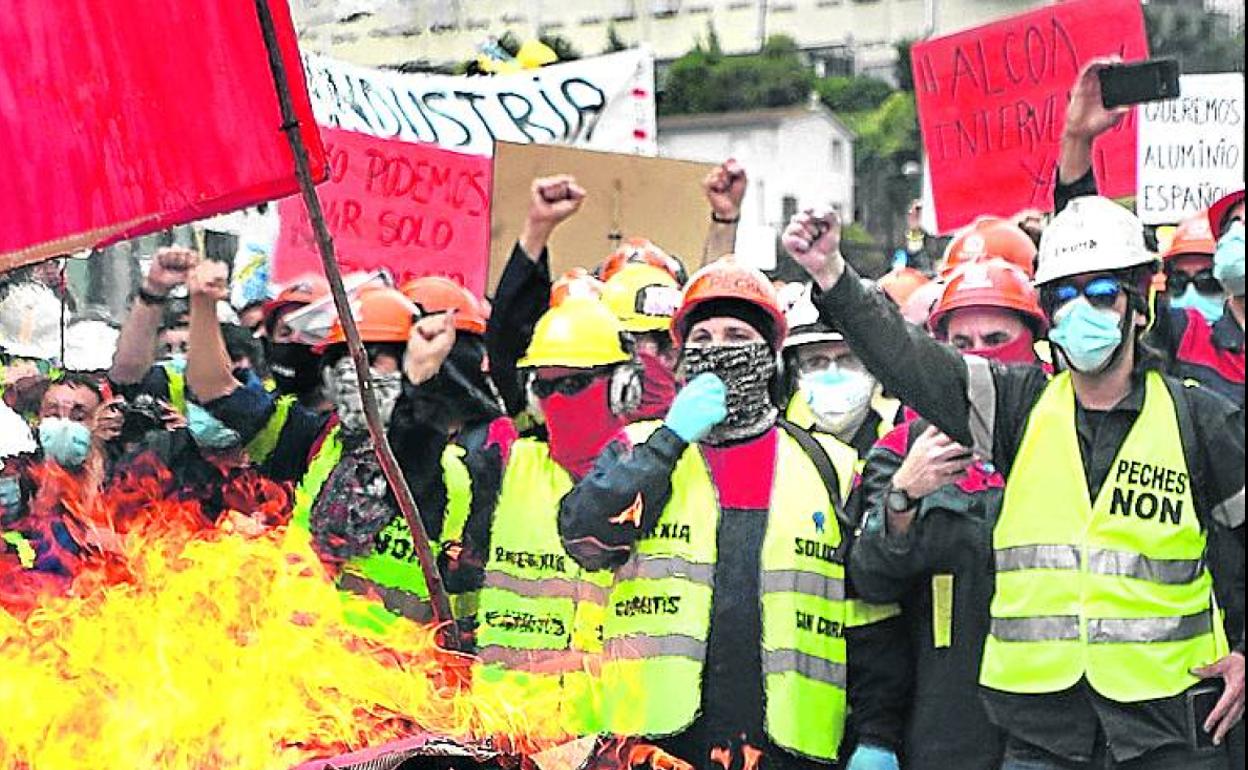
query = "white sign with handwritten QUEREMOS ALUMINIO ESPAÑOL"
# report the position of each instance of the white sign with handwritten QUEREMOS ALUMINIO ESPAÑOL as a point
(1191, 149)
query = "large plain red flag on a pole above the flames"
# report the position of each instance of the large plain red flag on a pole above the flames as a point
(122, 118)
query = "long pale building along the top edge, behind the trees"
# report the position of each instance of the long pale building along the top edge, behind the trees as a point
(848, 34)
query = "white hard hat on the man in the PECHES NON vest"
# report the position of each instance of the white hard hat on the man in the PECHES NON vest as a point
(1091, 235)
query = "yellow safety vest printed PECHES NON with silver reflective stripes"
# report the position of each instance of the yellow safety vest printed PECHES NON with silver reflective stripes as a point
(1115, 590)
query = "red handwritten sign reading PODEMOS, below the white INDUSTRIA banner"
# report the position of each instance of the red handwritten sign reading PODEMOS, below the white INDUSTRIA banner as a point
(411, 208)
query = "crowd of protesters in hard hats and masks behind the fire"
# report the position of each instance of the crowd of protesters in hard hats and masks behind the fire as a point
(987, 512)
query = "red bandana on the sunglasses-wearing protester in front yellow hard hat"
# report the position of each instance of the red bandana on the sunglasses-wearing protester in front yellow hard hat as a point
(580, 426)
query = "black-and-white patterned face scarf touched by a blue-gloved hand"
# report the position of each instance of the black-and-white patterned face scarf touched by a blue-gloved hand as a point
(747, 371)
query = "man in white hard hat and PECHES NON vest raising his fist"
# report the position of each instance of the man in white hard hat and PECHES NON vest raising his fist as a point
(1104, 630)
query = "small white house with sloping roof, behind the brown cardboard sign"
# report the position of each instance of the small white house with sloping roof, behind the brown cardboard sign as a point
(796, 158)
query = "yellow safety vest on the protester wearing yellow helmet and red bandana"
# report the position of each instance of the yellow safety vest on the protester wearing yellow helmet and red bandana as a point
(540, 623)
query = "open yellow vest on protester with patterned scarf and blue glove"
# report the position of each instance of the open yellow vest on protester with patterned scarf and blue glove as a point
(658, 617)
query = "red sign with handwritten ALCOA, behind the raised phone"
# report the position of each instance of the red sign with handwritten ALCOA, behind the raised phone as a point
(993, 105)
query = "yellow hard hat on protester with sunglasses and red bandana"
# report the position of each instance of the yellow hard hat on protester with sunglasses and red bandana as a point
(578, 334)
